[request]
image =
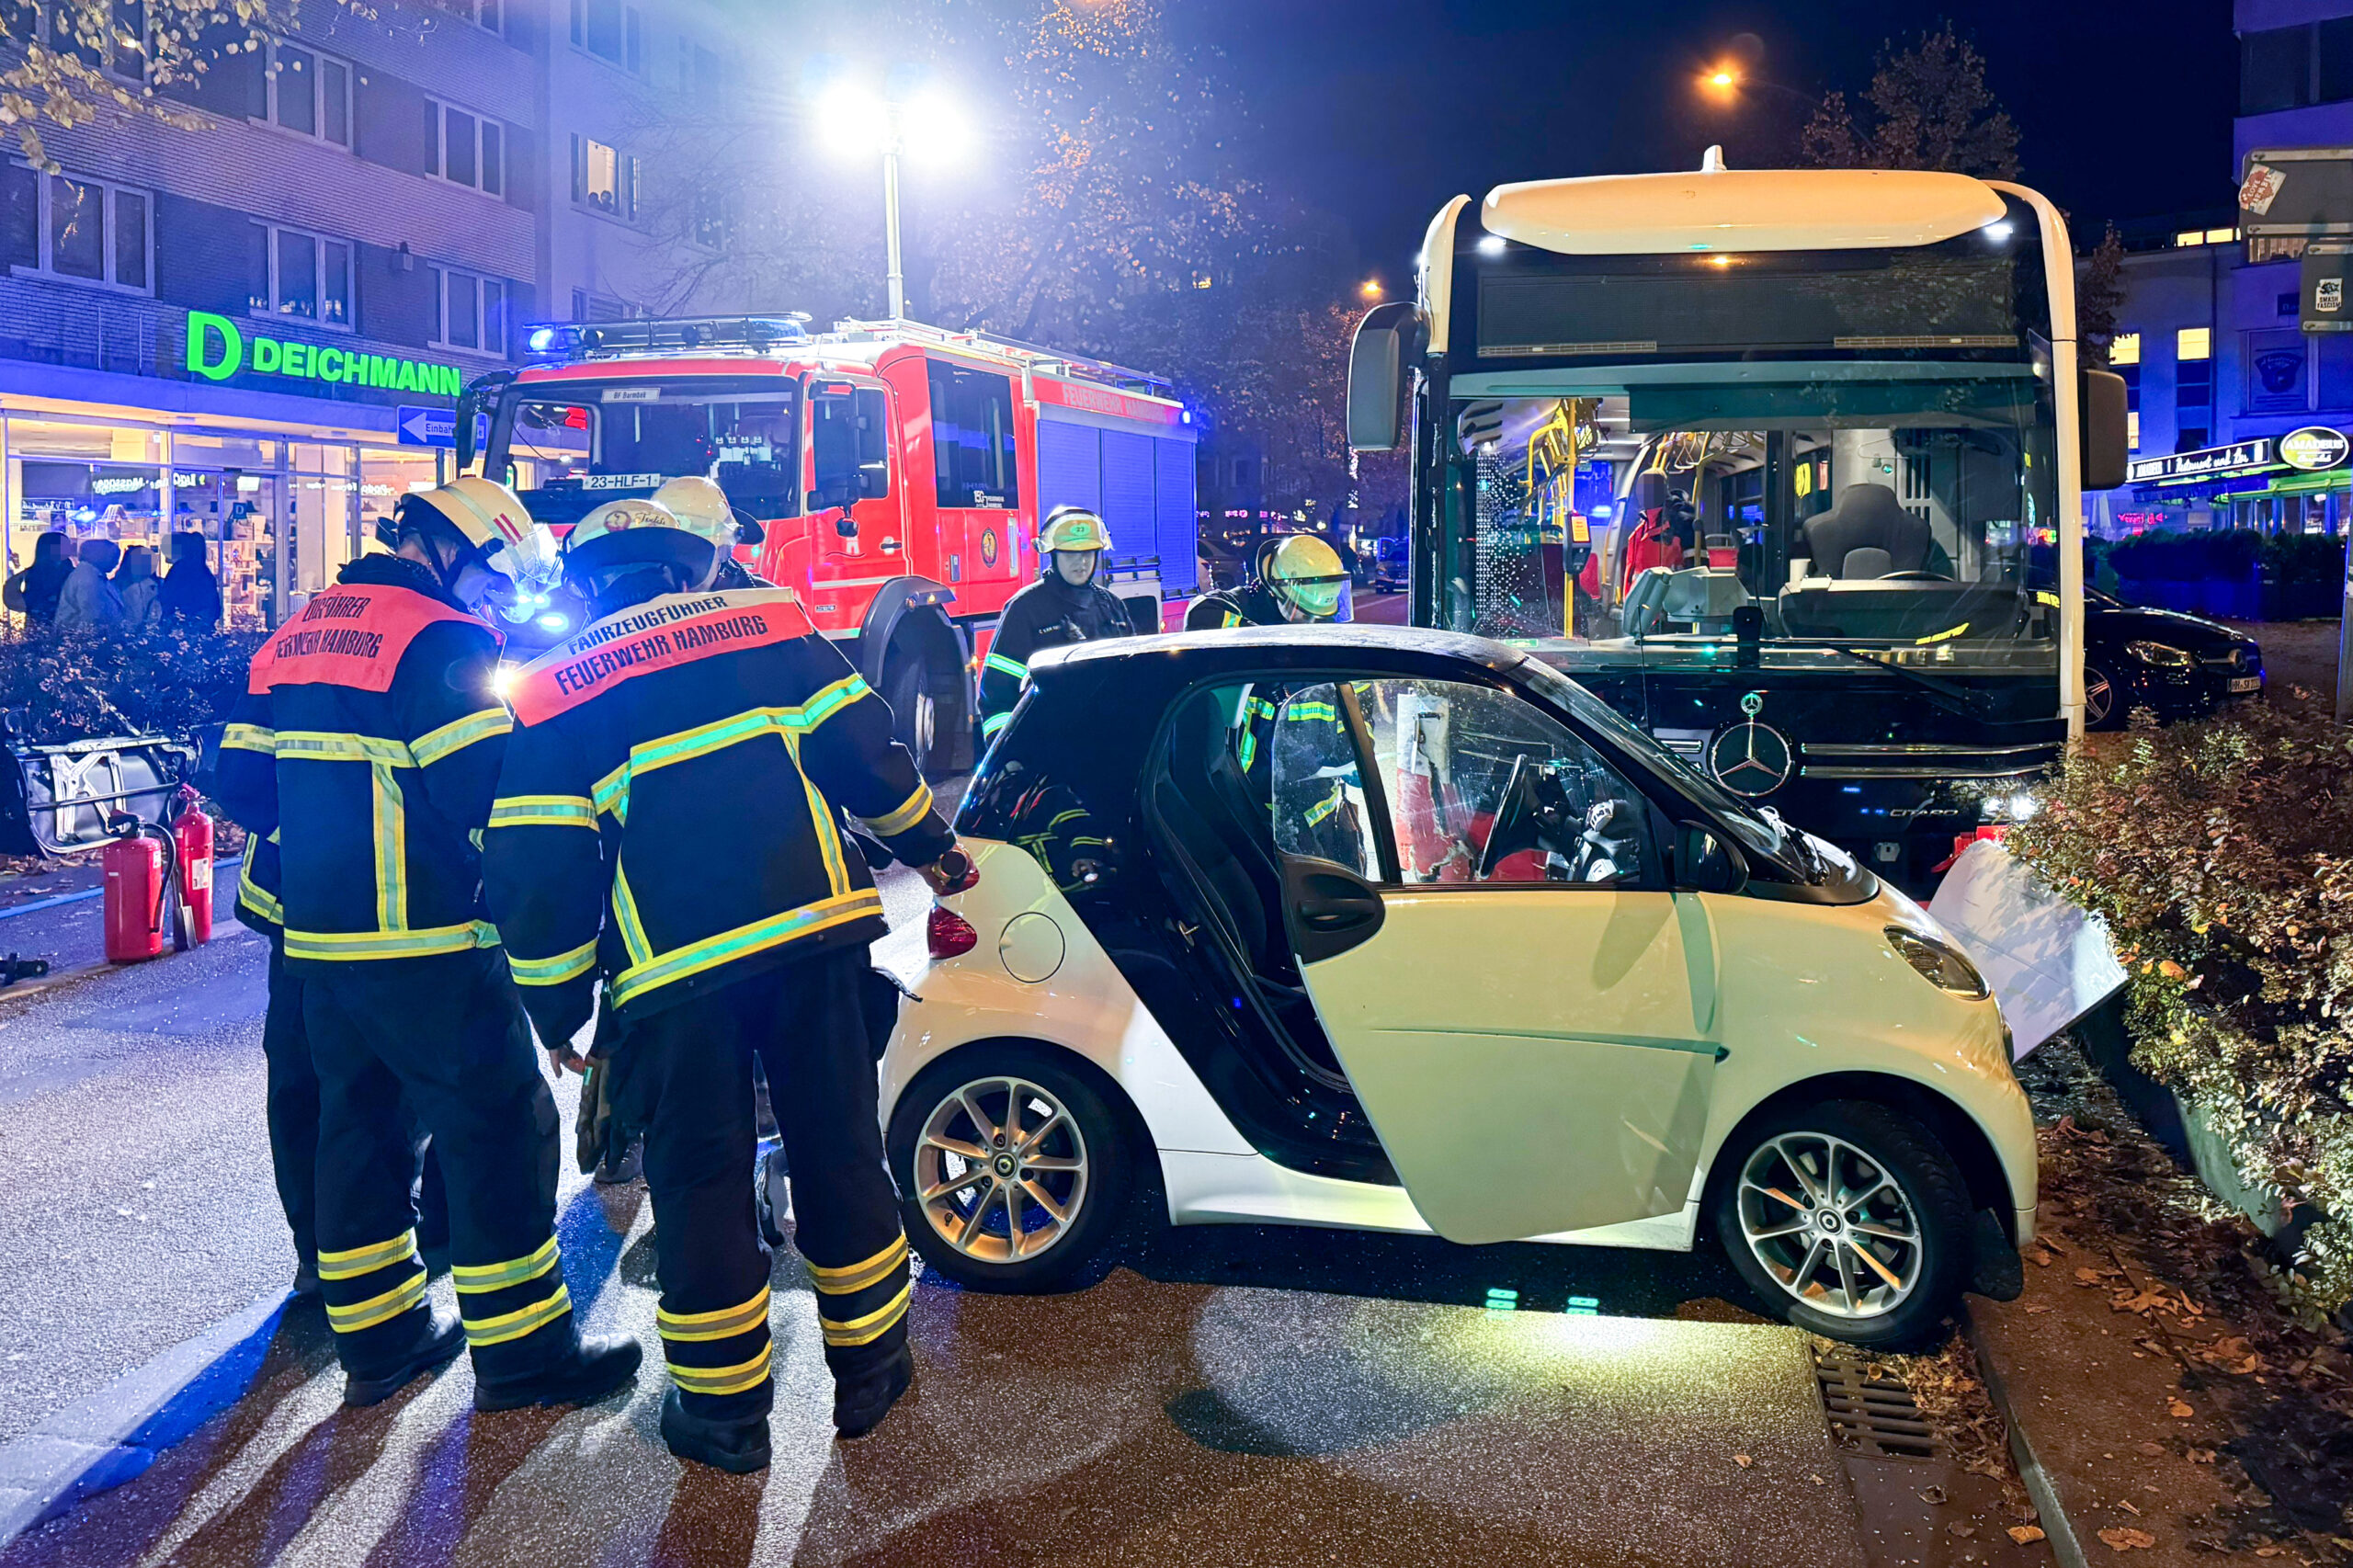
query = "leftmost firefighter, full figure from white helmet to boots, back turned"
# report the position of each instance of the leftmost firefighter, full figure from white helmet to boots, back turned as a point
(371, 745)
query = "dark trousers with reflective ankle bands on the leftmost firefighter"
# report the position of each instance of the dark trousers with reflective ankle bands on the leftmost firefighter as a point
(451, 1039)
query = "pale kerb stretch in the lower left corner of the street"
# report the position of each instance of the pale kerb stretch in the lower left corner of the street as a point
(119, 1433)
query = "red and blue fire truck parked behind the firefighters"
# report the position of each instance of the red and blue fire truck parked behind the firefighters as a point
(893, 474)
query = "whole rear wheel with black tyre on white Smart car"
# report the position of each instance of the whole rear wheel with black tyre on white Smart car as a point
(949, 1105)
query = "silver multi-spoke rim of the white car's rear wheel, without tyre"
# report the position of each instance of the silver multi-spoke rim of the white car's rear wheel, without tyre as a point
(1001, 1171)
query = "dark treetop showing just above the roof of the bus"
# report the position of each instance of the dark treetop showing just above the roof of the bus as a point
(1926, 109)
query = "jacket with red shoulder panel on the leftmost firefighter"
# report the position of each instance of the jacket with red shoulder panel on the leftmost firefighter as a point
(368, 745)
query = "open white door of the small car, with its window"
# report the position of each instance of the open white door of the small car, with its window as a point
(1479, 915)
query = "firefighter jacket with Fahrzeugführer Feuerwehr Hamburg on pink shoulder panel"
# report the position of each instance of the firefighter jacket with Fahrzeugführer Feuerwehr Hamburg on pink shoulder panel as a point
(669, 811)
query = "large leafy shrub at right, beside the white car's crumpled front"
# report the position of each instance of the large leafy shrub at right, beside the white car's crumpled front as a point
(2222, 858)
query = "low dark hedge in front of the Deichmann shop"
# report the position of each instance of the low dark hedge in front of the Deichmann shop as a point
(164, 682)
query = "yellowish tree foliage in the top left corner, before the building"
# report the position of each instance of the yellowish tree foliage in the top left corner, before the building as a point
(72, 62)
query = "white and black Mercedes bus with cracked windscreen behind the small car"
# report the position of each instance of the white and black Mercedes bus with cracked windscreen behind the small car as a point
(1846, 437)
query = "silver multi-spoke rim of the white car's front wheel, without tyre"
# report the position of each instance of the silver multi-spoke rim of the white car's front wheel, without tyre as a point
(1832, 1225)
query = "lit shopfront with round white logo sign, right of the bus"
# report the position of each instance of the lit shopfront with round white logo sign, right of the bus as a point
(2295, 484)
